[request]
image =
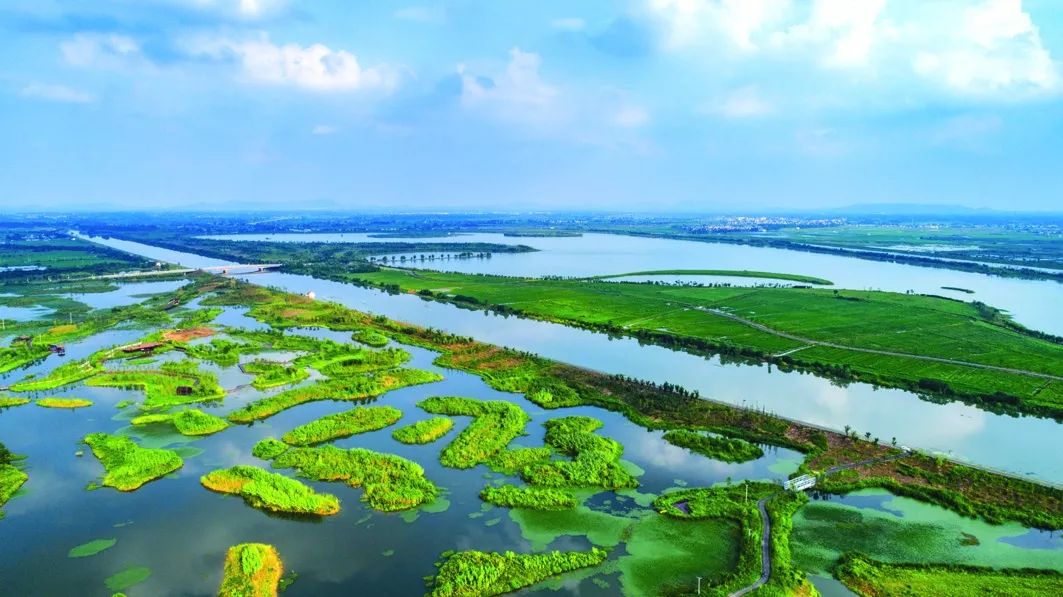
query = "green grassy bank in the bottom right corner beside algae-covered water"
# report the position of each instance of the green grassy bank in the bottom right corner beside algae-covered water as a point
(869, 578)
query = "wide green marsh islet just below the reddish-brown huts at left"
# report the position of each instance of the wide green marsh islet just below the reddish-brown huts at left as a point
(174, 384)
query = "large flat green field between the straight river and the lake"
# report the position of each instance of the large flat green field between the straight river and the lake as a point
(766, 325)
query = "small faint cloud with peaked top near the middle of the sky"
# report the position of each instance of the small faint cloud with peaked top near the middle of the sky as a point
(517, 94)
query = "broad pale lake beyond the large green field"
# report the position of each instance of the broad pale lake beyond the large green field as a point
(1033, 303)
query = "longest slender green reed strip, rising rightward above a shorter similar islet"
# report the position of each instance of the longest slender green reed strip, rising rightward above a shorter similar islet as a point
(348, 389)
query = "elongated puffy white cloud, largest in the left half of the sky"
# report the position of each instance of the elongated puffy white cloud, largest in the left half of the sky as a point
(316, 67)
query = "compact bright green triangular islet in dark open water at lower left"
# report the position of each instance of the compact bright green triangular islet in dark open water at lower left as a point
(129, 466)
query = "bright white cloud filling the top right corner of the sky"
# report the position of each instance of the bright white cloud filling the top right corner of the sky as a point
(997, 49)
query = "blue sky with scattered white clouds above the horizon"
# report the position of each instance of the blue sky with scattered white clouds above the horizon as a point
(520, 106)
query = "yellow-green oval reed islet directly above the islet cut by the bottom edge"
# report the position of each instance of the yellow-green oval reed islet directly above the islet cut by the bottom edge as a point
(272, 491)
